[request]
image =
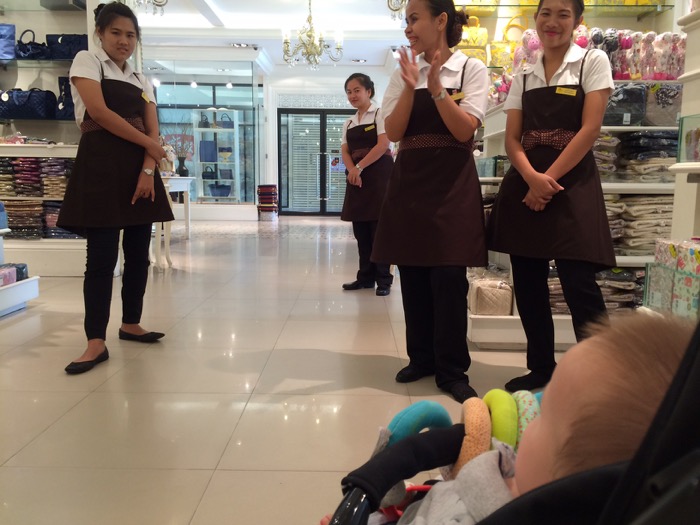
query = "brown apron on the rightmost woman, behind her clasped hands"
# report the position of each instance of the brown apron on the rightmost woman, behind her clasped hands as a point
(574, 224)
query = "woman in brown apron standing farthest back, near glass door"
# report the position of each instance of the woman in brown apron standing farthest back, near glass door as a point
(368, 160)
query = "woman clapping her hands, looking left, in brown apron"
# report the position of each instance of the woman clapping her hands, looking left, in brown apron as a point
(432, 223)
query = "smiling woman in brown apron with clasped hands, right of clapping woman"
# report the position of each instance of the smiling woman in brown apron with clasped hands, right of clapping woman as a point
(550, 204)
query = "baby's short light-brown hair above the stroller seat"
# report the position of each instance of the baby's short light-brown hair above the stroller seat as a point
(638, 355)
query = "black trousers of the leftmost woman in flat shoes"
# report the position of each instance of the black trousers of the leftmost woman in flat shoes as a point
(102, 255)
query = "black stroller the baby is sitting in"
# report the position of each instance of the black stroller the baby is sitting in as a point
(659, 486)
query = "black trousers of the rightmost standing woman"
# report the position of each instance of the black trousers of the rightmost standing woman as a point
(582, 295)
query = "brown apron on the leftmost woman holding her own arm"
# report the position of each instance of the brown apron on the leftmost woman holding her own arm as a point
(107, 169)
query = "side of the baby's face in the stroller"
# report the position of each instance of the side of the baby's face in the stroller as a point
(544, 436)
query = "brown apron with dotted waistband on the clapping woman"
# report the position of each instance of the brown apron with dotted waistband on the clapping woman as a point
(432, 213)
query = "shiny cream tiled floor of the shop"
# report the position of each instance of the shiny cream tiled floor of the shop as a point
(270, 385)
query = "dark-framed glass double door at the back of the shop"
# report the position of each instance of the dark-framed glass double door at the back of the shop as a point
(312, 173)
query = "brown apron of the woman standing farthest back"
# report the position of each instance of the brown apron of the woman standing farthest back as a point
(365, 203)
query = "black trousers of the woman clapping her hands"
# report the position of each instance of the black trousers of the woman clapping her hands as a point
(435, 309)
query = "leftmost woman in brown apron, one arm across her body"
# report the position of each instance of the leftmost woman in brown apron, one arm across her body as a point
(115, 184)
